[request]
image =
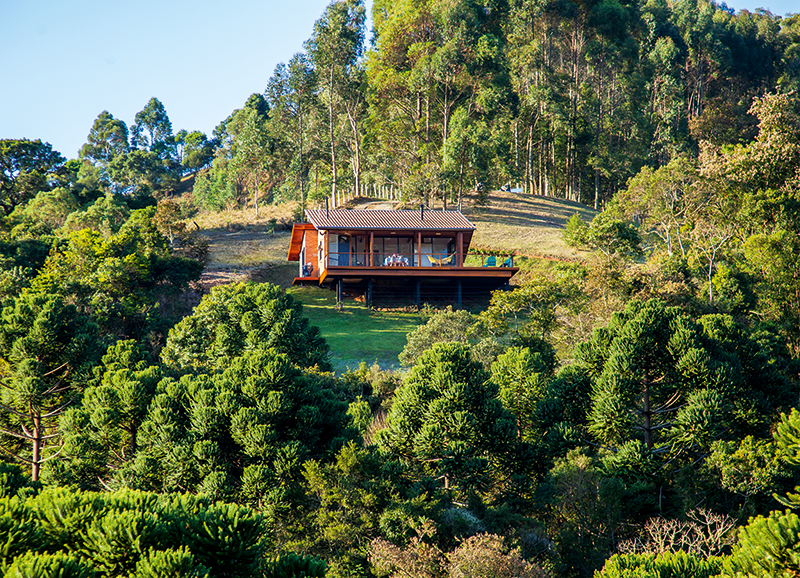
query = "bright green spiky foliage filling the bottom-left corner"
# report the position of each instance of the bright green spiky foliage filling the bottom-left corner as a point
(135, 534)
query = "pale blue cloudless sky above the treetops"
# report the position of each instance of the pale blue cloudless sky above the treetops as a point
(62, 62)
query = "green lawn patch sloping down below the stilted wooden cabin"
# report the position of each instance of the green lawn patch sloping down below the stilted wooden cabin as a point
(356, 334)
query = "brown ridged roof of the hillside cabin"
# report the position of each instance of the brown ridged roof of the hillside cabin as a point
(389, 220)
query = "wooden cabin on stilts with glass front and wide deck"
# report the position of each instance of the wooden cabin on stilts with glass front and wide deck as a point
(419, 253)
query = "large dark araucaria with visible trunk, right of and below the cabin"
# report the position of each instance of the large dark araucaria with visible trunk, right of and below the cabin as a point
(642, 379)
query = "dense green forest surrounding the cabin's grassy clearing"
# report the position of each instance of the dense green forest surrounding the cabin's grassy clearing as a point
(633, 414)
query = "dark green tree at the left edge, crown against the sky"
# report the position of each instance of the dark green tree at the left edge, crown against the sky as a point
(26, 166)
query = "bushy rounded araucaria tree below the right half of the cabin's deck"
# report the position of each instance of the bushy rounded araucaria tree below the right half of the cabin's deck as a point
(447, 423)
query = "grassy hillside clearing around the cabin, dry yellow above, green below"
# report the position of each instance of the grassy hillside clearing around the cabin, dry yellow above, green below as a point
(245, 248)
